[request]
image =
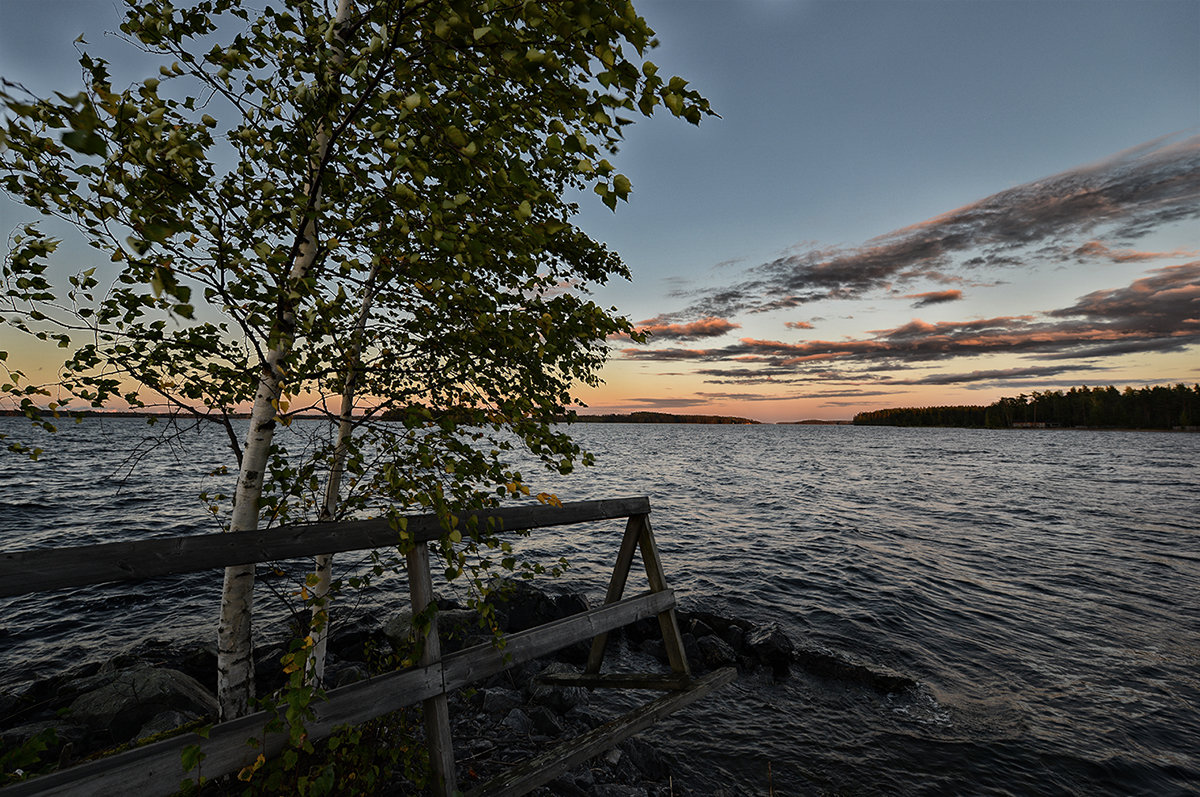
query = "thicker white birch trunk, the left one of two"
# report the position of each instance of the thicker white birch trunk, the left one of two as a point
(236, 662)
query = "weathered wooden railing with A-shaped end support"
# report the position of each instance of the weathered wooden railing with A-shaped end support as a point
(158, 769)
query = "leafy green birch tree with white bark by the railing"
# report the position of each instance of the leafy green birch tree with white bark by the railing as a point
(363, 211)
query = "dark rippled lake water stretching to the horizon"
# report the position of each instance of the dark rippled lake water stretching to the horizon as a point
(1040, 588)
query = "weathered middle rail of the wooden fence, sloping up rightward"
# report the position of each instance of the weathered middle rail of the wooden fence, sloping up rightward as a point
(157, 769)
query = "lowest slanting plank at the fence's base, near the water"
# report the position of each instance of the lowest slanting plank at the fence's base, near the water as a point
(542, 770)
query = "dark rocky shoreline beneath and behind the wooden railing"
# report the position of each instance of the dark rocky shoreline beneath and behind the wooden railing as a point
(157, 687)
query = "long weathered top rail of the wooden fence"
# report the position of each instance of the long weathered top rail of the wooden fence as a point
(44, 570)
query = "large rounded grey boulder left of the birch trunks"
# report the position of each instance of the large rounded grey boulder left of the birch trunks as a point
(134, 698)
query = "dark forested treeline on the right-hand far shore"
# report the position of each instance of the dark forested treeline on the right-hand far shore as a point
(1159, 408)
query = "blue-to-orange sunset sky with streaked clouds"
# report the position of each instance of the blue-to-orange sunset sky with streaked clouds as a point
(903, 202)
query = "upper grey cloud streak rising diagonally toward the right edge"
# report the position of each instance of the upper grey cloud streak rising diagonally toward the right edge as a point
(1123, 197)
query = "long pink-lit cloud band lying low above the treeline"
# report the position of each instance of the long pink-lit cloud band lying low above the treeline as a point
(1160, 313)
